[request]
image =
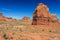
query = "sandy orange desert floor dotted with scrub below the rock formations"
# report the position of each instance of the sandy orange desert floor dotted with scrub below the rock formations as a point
(25, 31)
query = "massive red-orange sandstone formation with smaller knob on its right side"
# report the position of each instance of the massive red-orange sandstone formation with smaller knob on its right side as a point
(42, 16)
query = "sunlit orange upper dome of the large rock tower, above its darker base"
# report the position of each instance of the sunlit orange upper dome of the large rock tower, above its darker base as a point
(42, 10)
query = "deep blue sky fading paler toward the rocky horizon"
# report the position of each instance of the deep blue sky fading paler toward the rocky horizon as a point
(20, 8)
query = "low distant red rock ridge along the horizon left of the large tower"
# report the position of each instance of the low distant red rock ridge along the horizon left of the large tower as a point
(24, 19)
